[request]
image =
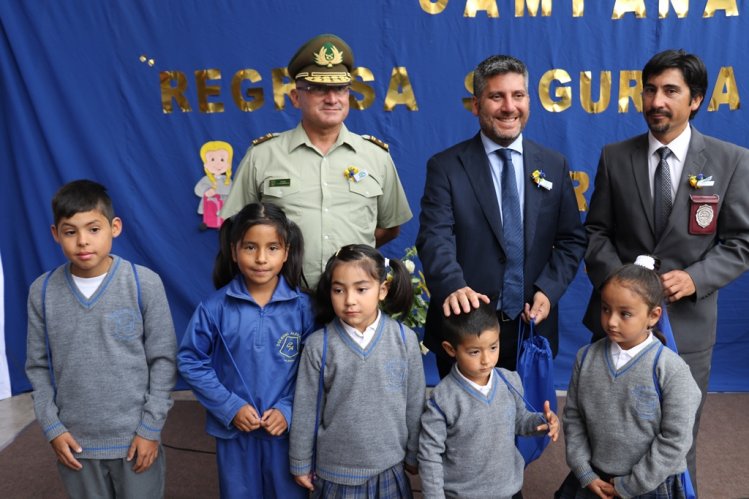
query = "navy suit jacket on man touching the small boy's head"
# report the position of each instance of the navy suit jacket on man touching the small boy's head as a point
(460, 235)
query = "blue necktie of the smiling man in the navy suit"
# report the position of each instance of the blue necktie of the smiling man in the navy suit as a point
(512, 231)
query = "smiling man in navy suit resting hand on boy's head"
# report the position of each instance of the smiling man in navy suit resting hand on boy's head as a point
(522, 266)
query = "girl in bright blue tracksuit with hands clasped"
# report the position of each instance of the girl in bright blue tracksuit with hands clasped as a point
(240, 352)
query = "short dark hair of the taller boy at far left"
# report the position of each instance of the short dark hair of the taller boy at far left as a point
(80, 196)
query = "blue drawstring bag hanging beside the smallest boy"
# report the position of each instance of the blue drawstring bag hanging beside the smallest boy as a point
(535, 366)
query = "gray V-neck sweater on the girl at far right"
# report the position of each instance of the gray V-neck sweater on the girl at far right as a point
(614, 420)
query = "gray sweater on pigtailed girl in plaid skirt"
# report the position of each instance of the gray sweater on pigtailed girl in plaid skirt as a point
(369, 409)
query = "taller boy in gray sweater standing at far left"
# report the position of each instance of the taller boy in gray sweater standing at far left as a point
(101, 354)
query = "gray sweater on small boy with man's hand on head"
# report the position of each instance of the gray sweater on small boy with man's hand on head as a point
(467, 442)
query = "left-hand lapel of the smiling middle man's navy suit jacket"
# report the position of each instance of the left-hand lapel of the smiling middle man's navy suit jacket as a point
(478, 172)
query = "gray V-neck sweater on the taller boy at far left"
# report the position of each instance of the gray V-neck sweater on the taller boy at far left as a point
(110, 366)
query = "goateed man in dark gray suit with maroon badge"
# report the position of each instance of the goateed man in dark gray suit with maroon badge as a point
(700, 233)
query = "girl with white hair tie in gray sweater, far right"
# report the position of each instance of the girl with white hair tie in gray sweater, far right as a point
(631, 403)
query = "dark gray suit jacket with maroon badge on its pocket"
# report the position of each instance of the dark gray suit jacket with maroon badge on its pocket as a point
(620, 227)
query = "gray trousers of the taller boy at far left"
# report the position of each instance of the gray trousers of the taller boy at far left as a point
(114, 478)
